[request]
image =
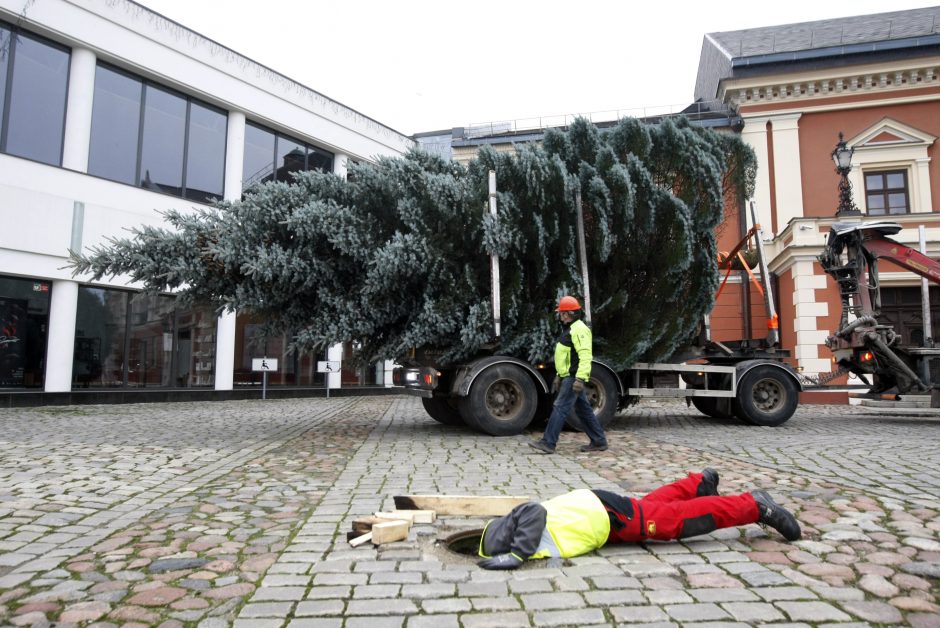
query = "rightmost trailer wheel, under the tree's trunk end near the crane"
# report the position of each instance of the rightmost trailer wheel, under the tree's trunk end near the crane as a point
(766, 396)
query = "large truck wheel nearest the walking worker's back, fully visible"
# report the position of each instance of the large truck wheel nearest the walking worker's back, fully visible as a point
(501, 401)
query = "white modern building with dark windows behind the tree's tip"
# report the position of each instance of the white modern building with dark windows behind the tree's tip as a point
(109, 115)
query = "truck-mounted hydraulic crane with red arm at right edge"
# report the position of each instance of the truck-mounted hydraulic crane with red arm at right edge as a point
(862, 345)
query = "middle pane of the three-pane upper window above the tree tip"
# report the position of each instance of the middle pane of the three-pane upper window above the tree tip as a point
(161, 144)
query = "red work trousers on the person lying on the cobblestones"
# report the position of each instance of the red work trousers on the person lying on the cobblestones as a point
(675, 511)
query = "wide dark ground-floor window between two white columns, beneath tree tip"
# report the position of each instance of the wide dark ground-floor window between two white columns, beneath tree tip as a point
(141, 341)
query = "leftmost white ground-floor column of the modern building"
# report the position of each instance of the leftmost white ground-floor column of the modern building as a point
(60, 347)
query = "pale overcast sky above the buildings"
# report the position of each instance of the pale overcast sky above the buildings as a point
(424, 65)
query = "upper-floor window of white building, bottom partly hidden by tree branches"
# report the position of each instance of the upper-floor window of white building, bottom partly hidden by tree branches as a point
(273, 156)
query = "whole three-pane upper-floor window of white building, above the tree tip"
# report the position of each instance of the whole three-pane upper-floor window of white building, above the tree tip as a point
(149, 136)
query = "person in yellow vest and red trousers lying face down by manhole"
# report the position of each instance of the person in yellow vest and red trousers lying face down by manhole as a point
(583, 520)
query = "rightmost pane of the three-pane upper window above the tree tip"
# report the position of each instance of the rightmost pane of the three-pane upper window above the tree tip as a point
(205, 173)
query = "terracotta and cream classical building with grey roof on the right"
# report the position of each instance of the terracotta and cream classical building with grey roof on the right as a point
(876, 80)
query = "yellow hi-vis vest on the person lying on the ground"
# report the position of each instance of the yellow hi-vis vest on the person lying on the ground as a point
(576, 523)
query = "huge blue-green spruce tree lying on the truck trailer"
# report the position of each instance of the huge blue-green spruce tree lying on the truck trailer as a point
(397, 256)
